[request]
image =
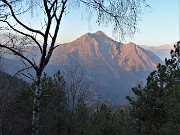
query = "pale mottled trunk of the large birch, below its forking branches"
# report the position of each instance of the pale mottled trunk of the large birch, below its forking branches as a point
(36, 106)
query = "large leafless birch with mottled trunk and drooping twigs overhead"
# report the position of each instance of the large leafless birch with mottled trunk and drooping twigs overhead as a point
(122, 14)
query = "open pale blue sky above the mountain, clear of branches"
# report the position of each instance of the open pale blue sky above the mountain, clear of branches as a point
(159, 25)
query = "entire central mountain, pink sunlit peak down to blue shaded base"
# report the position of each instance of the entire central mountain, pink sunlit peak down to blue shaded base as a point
(112, 66)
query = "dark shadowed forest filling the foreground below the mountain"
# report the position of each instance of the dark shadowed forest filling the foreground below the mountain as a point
(68, 109)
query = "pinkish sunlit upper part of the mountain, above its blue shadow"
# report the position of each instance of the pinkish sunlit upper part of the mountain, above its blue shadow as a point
(97, 48)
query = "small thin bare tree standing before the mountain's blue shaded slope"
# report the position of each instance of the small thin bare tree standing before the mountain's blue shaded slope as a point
(79, 90)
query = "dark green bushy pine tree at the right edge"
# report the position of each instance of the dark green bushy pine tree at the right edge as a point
(155, 108)
